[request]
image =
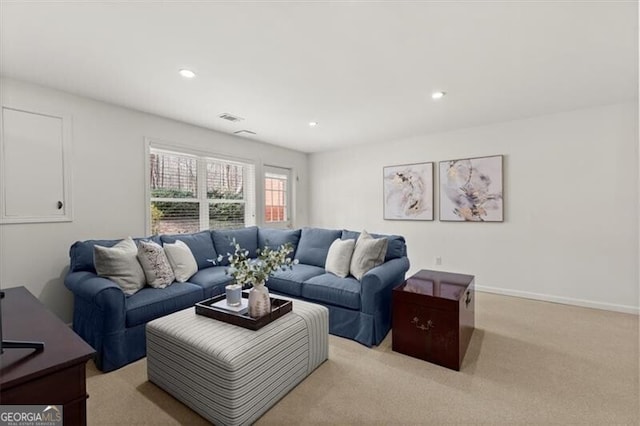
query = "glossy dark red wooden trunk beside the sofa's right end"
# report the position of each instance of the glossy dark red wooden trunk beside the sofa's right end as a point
(433, 317)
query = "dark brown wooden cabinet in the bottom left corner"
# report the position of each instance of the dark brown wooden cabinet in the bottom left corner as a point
(53, 376)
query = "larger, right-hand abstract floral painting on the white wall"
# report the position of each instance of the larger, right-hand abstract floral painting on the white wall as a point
(471, 189)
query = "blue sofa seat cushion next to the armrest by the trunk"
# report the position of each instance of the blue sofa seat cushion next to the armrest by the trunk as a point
(328, 288)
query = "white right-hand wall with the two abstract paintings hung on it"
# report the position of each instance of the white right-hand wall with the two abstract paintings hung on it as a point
(571, 205)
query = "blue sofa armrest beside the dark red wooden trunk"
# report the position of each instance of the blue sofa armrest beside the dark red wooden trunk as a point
(378, 283)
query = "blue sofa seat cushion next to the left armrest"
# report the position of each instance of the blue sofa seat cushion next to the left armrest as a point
(151, 303)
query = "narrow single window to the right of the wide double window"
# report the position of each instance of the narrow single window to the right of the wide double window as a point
(277, 196)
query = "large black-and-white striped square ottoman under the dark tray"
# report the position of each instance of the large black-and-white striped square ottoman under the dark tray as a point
(231, 375)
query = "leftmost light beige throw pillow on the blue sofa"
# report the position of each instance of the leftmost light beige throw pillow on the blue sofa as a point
(120, 264)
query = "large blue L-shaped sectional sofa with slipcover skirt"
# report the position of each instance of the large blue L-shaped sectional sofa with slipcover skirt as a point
(114, 323)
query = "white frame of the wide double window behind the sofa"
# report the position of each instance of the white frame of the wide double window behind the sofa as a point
(202, 157)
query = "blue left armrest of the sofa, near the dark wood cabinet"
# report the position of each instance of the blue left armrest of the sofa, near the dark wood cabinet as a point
(97, 298)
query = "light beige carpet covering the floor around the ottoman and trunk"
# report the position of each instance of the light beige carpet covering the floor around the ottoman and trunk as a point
(529, 362)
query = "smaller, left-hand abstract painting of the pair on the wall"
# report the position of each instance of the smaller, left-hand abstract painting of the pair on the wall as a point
(408, 191)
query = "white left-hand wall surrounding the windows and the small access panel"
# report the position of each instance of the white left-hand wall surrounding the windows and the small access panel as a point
(108, 184)
